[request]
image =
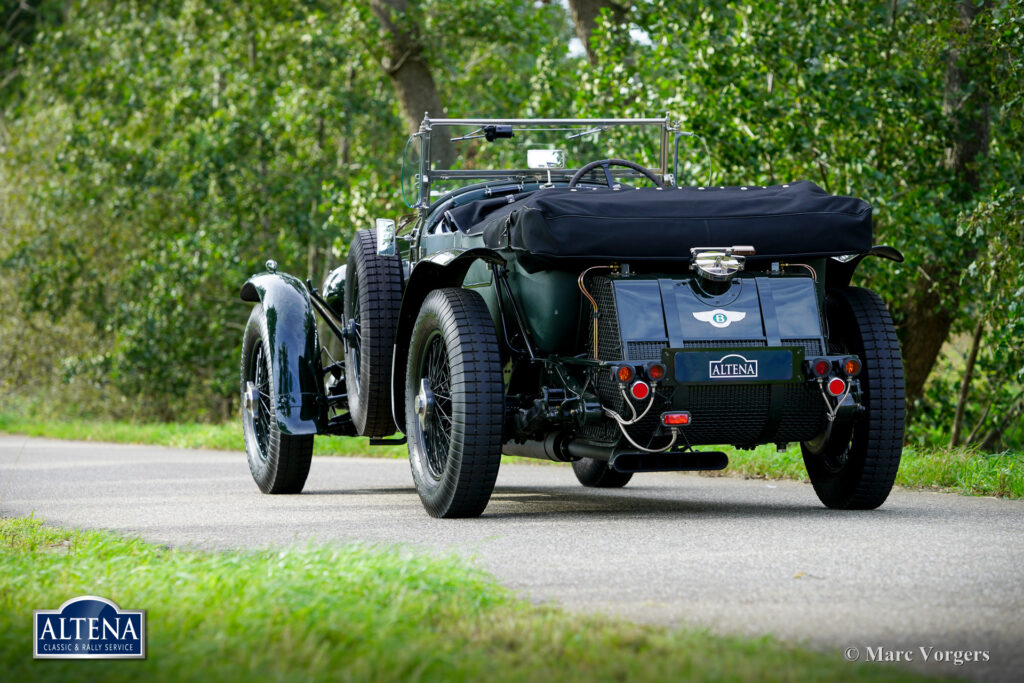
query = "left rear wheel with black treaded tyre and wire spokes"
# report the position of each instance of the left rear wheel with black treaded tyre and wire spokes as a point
(456, 448)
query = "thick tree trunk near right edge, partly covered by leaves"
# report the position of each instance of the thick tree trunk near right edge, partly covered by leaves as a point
(927, 321)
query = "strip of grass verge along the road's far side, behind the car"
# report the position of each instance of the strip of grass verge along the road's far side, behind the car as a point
(960, 471)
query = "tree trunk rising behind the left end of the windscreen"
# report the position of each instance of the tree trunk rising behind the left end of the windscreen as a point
(410, 74)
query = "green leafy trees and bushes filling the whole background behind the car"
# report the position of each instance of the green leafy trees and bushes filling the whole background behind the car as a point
(153, 156)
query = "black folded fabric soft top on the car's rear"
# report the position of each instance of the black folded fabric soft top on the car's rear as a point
(798, 220)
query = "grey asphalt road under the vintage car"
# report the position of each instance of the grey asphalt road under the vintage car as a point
(933, 571)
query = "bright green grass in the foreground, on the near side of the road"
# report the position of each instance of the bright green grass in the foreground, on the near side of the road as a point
(351, 613)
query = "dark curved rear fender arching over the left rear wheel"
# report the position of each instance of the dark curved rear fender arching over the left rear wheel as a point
(446, 269)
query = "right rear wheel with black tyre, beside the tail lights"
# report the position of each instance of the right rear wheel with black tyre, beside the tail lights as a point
(855, 466)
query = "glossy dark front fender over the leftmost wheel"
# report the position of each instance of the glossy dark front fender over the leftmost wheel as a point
(295, 356)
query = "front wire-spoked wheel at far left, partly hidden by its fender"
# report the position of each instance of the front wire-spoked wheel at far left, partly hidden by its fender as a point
(280, 463)
